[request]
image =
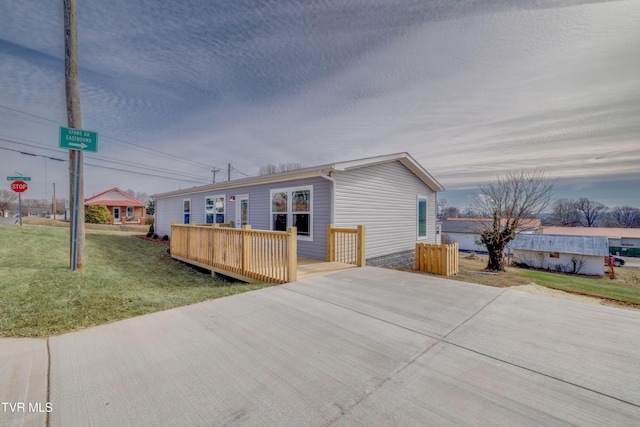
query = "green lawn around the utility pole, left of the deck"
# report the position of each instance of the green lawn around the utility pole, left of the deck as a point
(124, 277)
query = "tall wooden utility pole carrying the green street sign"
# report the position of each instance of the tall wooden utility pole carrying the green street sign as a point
(74, 120)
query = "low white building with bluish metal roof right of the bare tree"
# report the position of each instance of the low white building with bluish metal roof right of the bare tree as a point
(569, 254)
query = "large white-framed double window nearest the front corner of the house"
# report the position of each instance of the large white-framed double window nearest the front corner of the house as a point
(291, 207)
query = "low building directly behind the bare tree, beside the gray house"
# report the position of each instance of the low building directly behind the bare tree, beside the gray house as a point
(466, 231)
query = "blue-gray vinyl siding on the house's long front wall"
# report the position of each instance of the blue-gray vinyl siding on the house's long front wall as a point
(170, 209)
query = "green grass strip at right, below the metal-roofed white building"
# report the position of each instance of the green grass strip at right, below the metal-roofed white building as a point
(627, 290)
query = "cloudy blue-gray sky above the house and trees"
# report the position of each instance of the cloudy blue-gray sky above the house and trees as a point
(470, 88)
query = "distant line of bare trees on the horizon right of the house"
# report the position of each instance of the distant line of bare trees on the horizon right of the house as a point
(581, 212)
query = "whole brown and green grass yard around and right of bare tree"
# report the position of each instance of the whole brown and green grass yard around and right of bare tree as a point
(625, 288)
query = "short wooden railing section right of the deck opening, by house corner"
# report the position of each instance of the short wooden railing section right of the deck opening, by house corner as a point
(346, 245)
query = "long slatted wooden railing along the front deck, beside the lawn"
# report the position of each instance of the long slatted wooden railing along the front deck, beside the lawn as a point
(245, 254)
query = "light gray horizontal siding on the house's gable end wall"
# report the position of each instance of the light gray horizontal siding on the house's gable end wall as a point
(383, 198)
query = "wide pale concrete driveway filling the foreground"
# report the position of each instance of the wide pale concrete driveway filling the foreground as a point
(361, 347)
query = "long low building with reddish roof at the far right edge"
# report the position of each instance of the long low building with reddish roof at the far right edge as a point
(622, 241)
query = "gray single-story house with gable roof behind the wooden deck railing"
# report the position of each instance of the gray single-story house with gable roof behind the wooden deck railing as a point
(393, 196)
